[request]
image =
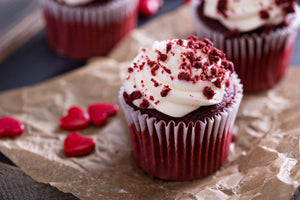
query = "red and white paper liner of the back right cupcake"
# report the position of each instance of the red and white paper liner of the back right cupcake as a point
(260, 60)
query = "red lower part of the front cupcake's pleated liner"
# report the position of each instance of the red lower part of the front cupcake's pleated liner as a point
(180, 162)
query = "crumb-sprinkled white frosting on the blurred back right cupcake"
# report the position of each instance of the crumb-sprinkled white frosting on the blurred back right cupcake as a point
(248, 15)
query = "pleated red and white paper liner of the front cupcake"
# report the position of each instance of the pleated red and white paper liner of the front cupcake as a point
(178, 151)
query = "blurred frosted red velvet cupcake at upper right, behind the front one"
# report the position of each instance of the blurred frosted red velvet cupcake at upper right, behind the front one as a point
(258, 36)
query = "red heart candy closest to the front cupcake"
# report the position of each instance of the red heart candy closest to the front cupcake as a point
(100, 111)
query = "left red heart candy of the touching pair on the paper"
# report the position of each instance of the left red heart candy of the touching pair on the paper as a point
(76, 119)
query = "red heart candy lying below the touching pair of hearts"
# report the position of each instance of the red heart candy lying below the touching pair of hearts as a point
(77, 145)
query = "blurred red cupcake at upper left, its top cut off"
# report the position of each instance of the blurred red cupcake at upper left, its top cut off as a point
(80, 29)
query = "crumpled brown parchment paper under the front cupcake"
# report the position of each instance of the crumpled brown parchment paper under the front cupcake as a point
(263, 163)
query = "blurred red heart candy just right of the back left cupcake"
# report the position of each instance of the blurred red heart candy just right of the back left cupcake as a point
(149, 7)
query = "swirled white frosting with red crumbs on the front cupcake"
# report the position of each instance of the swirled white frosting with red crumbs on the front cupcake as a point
(178, 76)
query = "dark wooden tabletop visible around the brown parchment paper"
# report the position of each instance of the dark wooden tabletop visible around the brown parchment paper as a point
(35, 62)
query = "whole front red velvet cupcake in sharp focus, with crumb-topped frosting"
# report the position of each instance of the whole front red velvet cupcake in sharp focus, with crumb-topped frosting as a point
(180, 99)
